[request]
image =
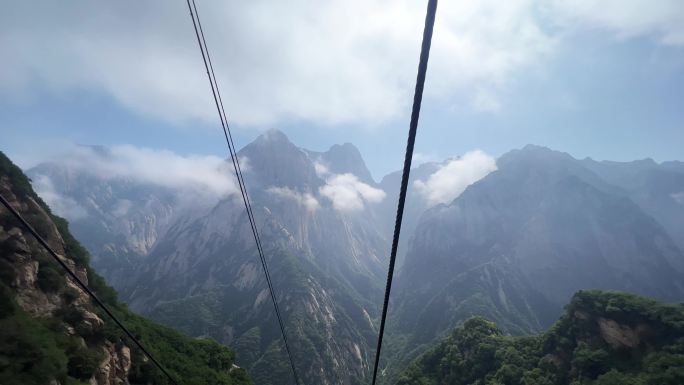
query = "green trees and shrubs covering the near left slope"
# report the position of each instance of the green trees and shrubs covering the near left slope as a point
(35, 350)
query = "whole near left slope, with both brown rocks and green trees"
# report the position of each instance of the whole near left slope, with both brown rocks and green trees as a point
(50, 332)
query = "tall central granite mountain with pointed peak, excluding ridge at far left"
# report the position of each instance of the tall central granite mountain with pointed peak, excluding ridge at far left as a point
(325, 265)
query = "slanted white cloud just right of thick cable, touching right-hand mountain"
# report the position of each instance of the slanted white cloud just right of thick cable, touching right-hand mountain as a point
(447, 183)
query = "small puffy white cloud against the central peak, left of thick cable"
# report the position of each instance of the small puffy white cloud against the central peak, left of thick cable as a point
(347, 193)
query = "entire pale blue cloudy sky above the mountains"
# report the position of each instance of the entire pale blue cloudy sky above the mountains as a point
(601, 78)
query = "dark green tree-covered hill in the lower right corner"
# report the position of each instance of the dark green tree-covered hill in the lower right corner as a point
(604, 338)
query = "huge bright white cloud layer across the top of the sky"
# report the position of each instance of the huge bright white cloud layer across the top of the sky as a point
(328, 62)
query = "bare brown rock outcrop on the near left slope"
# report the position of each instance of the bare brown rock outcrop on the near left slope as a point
(42, 291)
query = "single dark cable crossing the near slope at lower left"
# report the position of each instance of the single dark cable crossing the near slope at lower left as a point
(84, 287)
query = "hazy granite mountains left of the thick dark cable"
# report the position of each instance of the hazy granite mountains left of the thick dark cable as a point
(326, 255)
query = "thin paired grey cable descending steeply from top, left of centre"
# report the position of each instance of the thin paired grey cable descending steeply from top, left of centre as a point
(197, 24)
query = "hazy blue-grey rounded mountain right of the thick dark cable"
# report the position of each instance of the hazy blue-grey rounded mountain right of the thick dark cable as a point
(517, 244)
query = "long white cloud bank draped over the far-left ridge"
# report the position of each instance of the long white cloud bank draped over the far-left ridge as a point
(204, 176)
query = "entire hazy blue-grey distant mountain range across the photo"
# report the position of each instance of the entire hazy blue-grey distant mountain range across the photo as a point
(513, 247)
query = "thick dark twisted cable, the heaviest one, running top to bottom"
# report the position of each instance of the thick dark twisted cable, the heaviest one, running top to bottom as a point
(413, 127)
